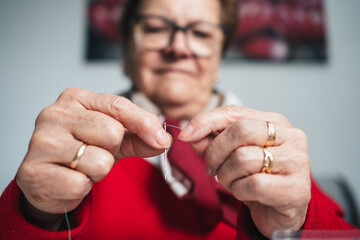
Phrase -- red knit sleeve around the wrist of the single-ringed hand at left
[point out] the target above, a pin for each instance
(14, 226)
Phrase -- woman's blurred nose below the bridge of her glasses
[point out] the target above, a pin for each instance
(179, 47)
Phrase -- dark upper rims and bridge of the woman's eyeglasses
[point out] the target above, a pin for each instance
(175, 27)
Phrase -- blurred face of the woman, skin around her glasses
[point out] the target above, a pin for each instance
(175, 79)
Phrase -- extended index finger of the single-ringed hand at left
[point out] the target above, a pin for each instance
(144, 124)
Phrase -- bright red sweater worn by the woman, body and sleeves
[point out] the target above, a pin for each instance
(134, 202)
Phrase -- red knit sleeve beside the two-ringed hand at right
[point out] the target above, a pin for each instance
(323, 213)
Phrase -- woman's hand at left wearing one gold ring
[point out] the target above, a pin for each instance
(113, 128)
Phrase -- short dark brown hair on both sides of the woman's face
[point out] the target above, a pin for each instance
(228, 20)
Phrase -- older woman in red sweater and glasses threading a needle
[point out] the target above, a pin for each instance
(230, 172)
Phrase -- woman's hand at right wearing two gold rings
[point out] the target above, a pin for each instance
(232, 140)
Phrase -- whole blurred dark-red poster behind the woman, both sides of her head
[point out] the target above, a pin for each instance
(268, 30)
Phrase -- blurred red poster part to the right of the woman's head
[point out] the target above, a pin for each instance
(280, 30)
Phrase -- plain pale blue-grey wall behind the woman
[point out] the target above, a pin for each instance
(41, 53)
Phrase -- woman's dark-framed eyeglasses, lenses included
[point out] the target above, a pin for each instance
(153, 32)
